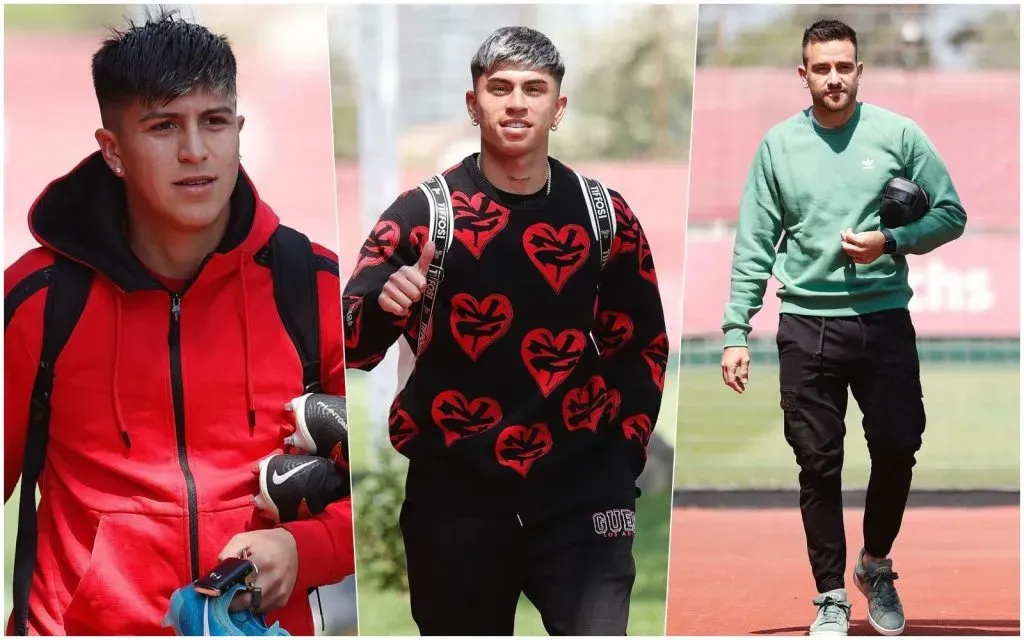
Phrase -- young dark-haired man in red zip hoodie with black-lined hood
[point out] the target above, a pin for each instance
(175, 381)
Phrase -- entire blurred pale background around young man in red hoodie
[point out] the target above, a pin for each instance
(51, 115)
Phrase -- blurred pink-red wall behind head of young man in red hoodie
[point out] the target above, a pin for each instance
(51, 117)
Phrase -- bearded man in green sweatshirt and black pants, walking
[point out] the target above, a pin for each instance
(817, 184)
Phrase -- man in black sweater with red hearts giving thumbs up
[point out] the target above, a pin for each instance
(528, 414)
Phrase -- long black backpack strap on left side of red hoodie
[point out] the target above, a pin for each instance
(66, 298)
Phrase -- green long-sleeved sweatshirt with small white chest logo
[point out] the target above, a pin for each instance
(813, 184)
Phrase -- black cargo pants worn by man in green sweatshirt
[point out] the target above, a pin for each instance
(875, 357)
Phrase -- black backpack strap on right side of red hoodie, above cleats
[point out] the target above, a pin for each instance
(293, 268)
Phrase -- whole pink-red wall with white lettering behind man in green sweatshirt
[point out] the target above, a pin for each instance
(970, 288)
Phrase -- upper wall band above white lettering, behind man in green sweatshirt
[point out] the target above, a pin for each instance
(972, 118)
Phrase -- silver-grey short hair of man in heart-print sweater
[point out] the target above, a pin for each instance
(520, 47)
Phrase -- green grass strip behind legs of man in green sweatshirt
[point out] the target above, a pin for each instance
(972, 440)
